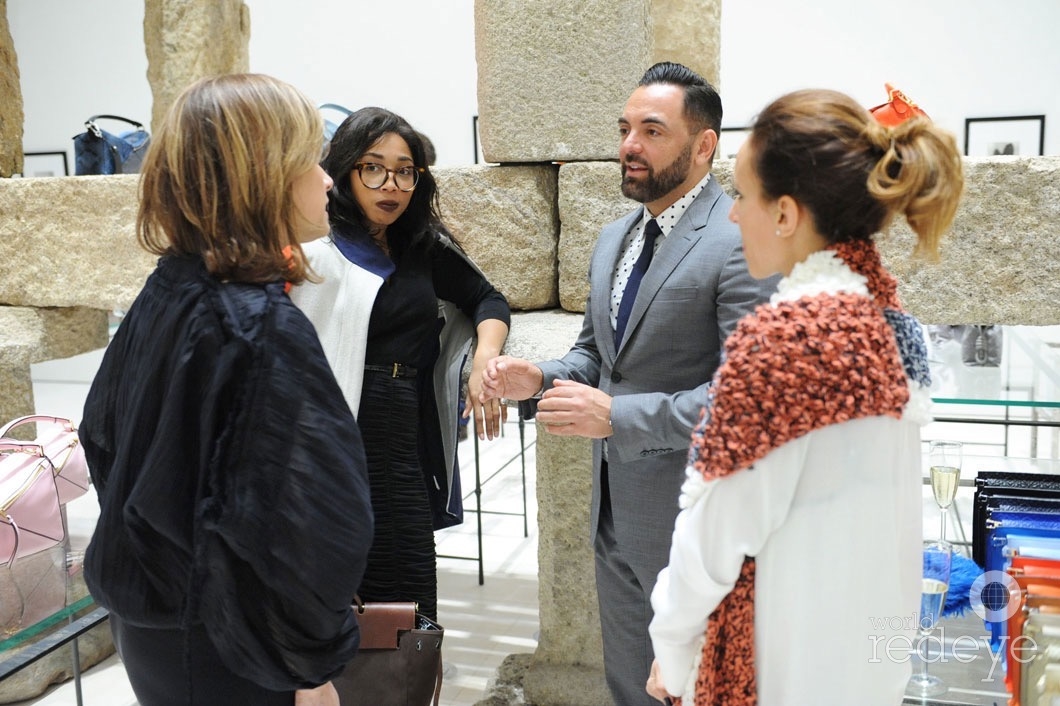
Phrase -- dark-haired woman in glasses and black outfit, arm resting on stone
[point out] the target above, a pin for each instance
(396, 306)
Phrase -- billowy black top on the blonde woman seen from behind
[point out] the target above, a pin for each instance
(232, 479)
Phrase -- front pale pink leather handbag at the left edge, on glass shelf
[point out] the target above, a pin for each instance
(31, 518)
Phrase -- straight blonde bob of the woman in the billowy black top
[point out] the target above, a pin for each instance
(217, 181)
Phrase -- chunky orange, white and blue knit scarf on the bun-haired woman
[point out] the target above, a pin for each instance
(832, 346)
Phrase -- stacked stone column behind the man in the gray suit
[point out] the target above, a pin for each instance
(553, 80)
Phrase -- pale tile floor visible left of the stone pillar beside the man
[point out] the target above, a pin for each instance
(484, 624)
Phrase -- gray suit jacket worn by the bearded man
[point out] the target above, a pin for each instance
(692, 297)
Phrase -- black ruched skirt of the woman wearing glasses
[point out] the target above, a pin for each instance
(402, 561)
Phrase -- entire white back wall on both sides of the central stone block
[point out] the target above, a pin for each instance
(959, 59)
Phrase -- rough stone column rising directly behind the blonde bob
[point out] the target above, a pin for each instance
(188, 40)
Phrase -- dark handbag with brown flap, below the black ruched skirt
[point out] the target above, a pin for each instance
(399, 662)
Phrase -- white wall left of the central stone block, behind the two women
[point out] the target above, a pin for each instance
(417, 58)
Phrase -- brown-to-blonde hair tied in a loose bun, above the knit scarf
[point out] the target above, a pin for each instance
(853, 174)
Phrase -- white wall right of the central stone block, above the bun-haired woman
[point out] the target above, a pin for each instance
(958, 59)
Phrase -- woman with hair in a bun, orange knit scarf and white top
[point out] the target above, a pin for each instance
(794, 576)
